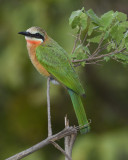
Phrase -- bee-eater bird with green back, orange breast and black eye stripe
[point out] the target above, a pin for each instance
(51, 60)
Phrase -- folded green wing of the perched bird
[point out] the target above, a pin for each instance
(55, 60)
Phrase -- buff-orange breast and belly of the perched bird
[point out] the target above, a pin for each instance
(32, 54)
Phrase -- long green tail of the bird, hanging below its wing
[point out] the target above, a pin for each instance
(79, 110)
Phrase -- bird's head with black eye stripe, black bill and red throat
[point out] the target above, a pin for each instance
(34, 35)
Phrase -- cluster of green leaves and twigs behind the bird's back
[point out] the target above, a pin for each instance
(108, 33)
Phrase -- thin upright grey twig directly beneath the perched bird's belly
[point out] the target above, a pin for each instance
(48, 108)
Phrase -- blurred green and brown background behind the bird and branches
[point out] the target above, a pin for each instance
(23, 107)
